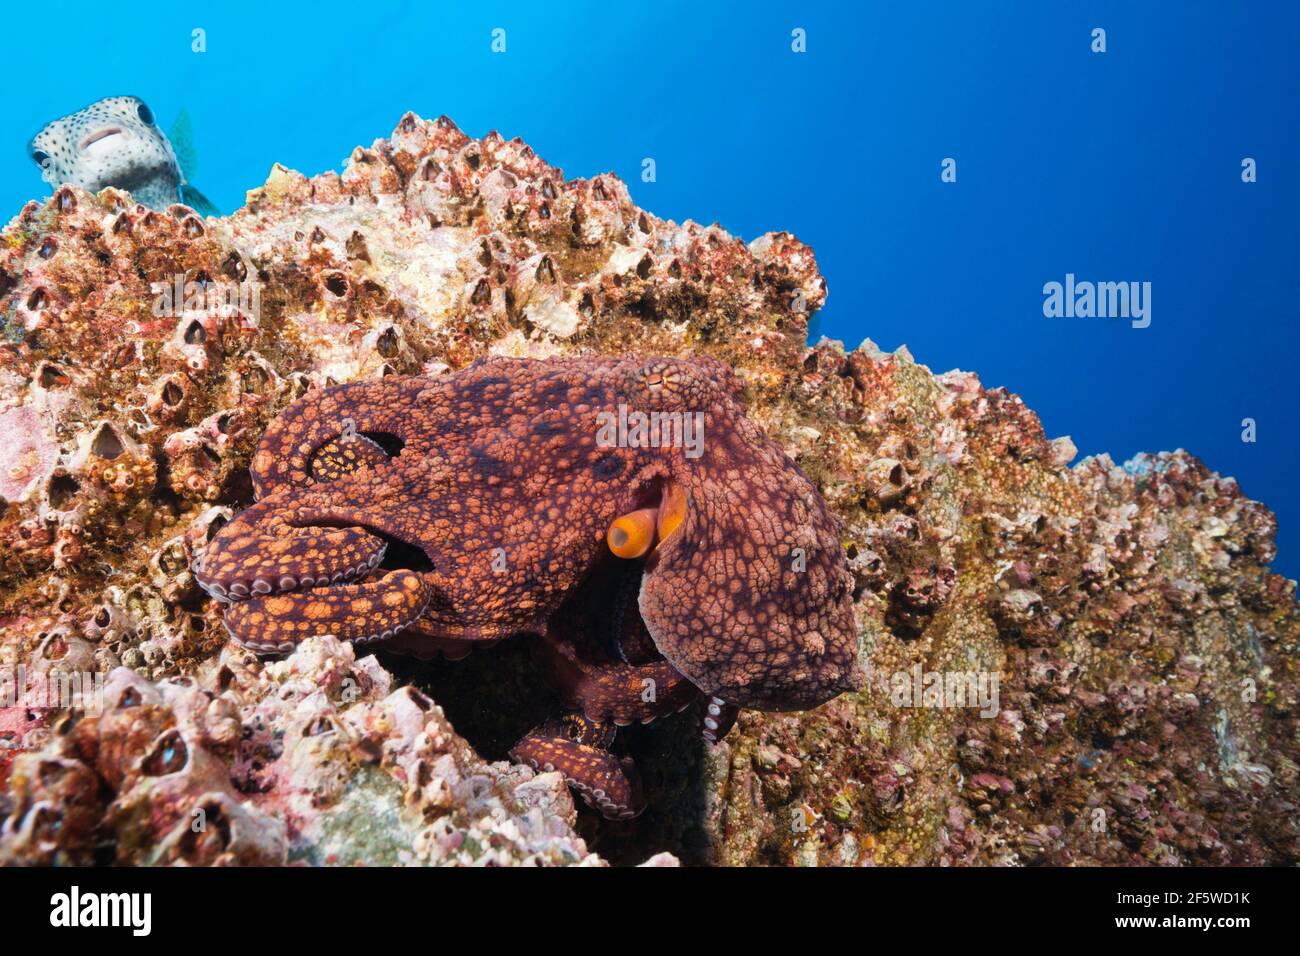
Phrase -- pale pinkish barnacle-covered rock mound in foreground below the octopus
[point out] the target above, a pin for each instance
(315, 759)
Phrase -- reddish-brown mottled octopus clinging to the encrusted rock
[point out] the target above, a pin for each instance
(622, 511)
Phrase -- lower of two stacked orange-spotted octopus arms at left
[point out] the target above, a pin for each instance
(367, 612)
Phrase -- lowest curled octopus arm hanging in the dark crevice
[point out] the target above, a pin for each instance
(578, 749)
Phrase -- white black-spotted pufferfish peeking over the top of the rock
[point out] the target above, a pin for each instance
(118, 142)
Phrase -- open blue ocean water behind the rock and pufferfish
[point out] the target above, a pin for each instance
(1124, 166)
